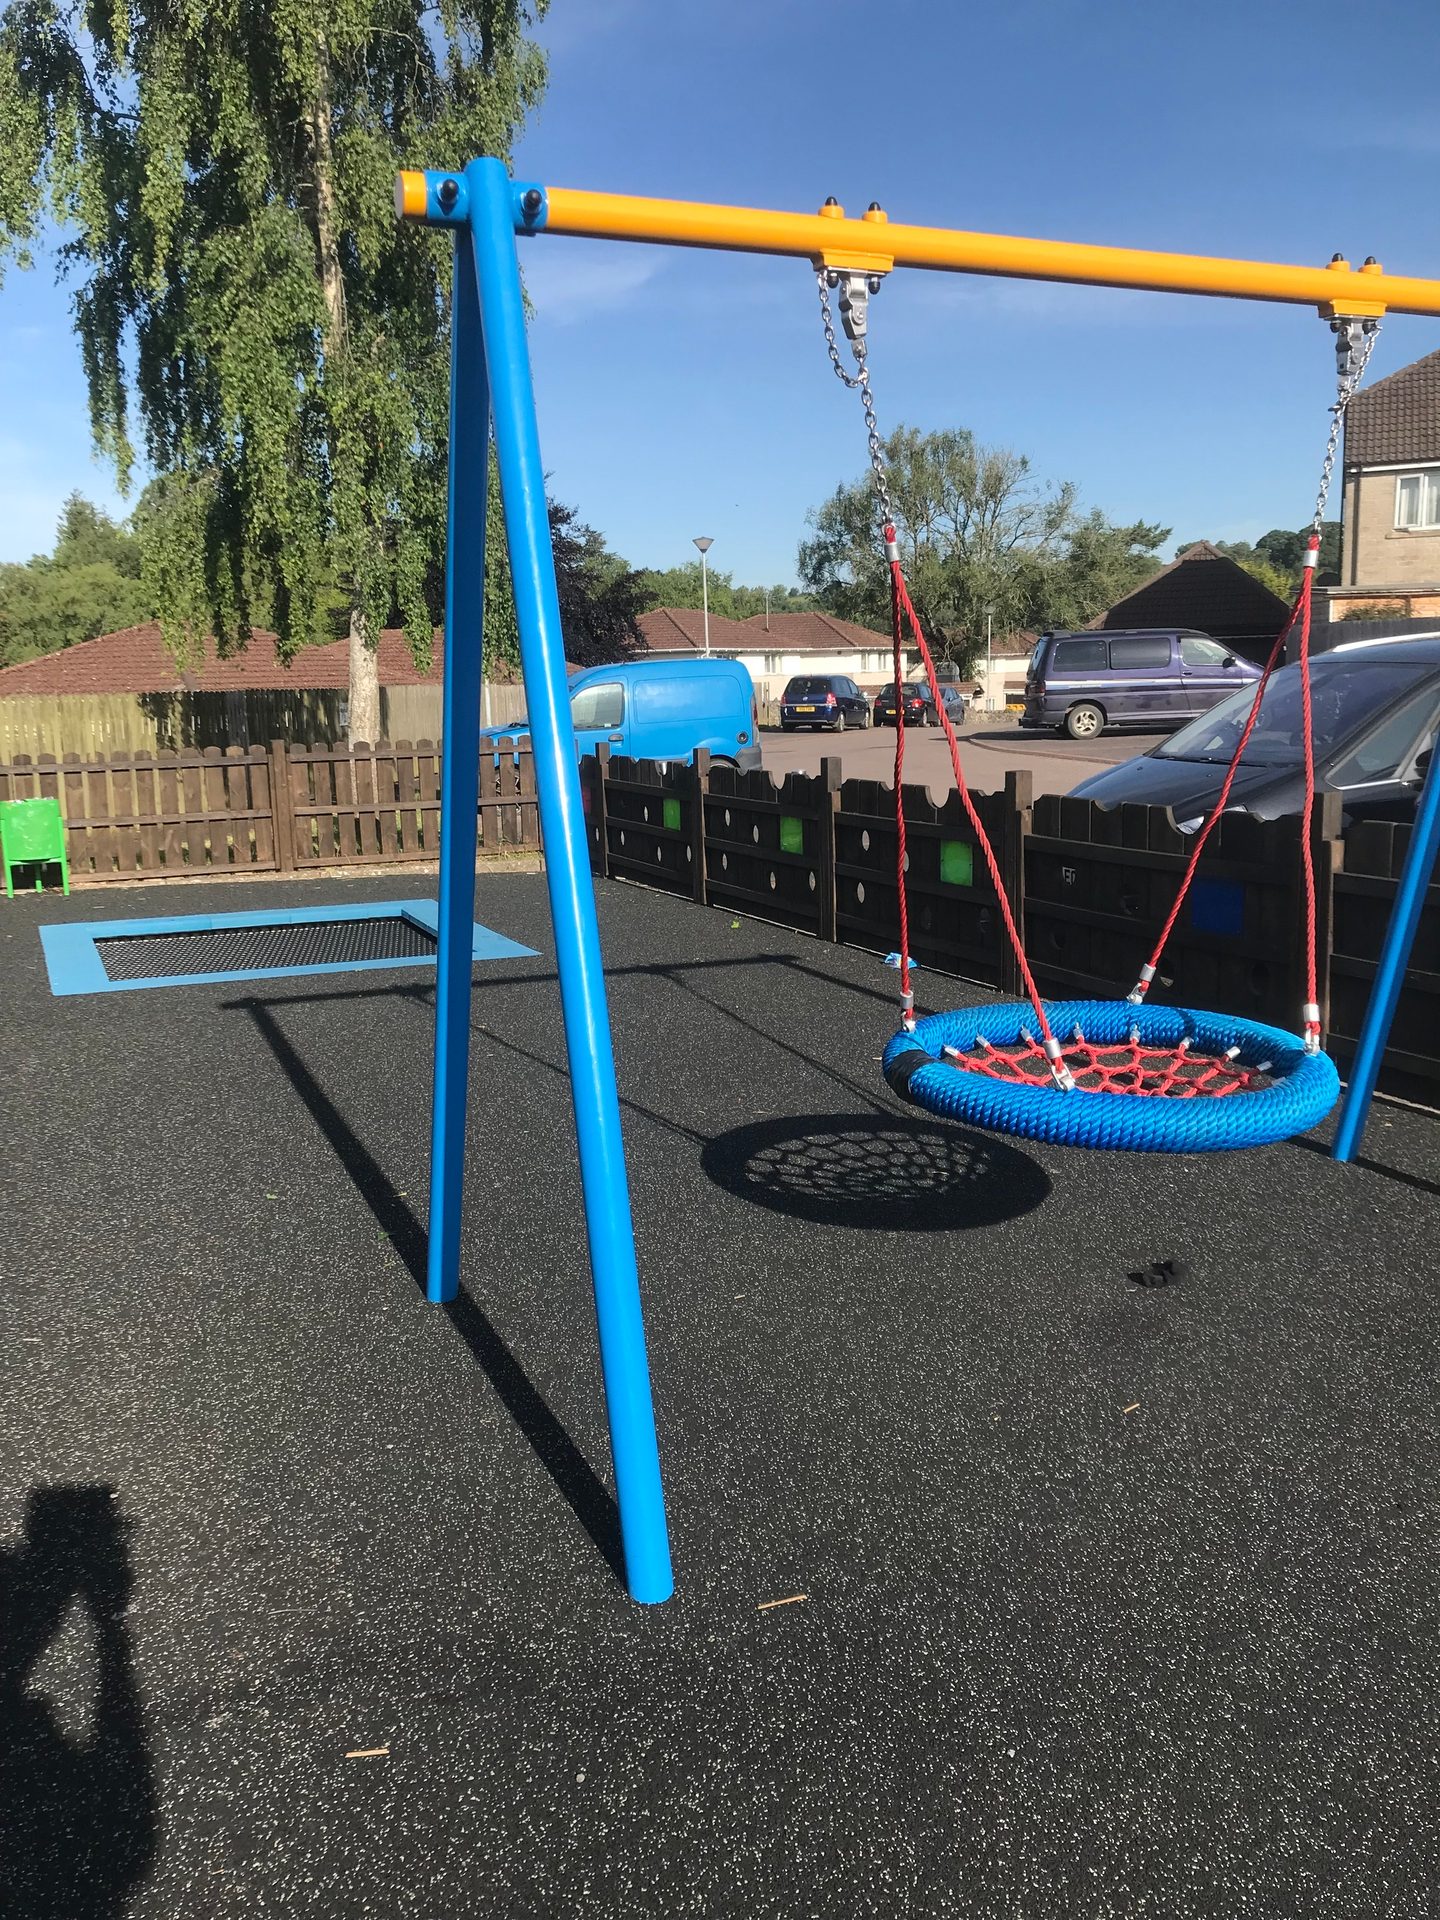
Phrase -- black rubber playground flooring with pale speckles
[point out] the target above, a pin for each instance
(1118, 1600)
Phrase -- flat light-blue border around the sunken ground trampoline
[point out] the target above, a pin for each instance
(76, 967)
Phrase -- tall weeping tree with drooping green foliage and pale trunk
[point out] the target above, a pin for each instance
(254, 324)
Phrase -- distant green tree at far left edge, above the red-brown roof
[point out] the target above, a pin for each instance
(91, 585)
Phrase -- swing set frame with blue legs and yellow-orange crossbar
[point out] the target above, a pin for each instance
(492, 391)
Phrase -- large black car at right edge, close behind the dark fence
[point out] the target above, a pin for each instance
(1376, 717)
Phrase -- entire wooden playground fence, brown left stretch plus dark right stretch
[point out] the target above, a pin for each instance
(815, 853)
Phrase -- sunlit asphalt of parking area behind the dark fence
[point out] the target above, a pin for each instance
(988, 752)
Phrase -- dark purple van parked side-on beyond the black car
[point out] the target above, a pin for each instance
(1149, 677)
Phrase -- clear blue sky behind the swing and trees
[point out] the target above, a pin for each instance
(686, 393)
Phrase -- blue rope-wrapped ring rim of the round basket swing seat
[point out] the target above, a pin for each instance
(1301, 1095)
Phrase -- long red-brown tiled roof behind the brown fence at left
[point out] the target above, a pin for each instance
(137, 661)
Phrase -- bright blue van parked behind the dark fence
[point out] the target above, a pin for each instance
(667, 709)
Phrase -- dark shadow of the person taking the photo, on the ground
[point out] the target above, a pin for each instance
(78, 1810)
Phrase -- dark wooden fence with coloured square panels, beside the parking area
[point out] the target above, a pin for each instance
(1092, 890)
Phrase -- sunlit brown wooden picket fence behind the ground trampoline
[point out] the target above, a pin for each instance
(272, 809)
